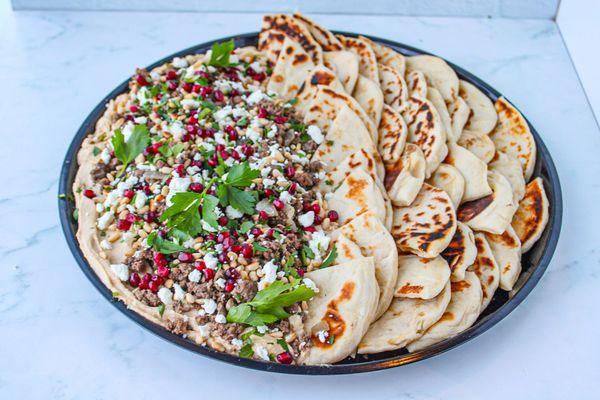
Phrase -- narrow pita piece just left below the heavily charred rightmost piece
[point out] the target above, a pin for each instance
(506, 249)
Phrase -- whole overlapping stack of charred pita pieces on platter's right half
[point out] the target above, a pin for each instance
(432, 181)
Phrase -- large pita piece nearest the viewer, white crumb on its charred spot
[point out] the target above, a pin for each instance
(343, 308)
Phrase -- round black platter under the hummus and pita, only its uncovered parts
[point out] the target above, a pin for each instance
(534, 262)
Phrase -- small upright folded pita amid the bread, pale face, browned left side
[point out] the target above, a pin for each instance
(404, 178)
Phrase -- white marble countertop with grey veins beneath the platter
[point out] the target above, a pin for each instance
(60, 339)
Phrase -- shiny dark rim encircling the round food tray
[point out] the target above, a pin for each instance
(69, 167)
